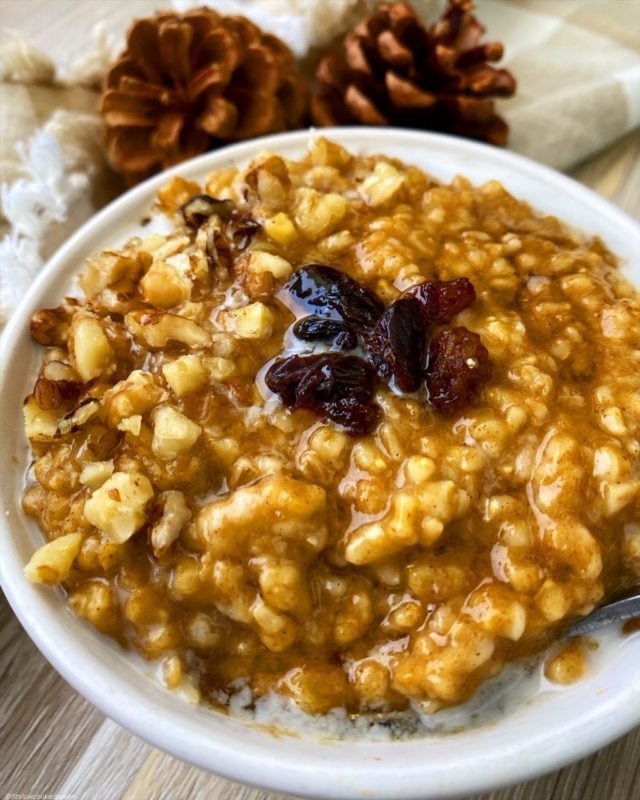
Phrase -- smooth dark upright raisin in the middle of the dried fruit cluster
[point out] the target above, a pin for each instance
(398, 344)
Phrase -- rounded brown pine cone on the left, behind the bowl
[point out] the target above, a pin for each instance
(188, 83)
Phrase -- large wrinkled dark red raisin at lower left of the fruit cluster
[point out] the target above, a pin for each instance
(335, 387)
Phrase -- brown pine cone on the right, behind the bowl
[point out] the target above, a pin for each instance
(394, 71)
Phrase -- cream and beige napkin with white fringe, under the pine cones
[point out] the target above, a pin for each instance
(577, 63)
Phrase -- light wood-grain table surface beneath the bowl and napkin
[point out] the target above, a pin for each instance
(54, 743)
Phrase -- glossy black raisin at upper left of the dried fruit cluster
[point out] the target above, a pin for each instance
(331, 293)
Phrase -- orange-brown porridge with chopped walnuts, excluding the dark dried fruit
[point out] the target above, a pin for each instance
(195, 518)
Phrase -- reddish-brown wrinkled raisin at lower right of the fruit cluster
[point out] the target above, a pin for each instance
(458, 365)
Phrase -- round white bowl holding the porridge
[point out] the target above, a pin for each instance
(542, 732)
